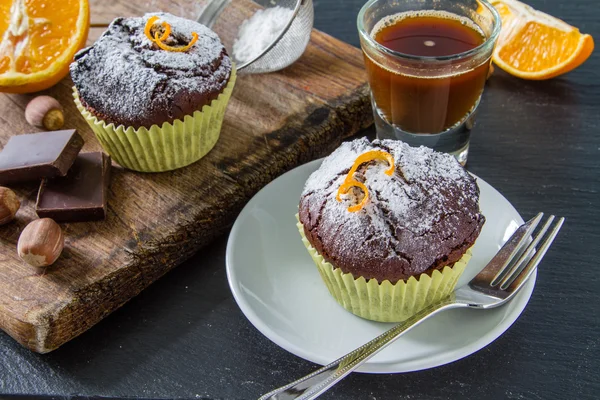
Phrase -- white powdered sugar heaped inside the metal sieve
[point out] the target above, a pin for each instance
(259, 31)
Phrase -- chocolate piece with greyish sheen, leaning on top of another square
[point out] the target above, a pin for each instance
(39, 155)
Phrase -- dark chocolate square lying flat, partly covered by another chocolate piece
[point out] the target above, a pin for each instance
(79, 196)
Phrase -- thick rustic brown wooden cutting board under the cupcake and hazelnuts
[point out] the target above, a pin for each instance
(274, 122)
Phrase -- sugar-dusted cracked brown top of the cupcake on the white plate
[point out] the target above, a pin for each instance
(423, 217)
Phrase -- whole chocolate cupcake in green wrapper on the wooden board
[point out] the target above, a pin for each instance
(154, 90)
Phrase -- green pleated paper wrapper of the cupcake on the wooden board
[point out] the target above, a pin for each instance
(172, 146)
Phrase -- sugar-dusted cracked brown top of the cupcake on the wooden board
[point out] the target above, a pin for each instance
(127, 79)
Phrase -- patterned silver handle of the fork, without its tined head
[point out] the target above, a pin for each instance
(313, 385)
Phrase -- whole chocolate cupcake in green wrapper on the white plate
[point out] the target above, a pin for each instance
(404, 246)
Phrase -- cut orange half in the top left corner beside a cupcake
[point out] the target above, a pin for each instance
(38, 41)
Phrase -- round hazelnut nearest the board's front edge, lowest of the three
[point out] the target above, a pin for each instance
(41, 242)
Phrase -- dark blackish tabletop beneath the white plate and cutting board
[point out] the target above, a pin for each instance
(538, 143)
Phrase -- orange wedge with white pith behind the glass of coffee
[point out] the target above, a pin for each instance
(535, 45)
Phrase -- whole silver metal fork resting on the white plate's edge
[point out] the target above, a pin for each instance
(494, 286)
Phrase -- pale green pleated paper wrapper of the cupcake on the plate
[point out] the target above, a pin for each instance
(386, 302)
